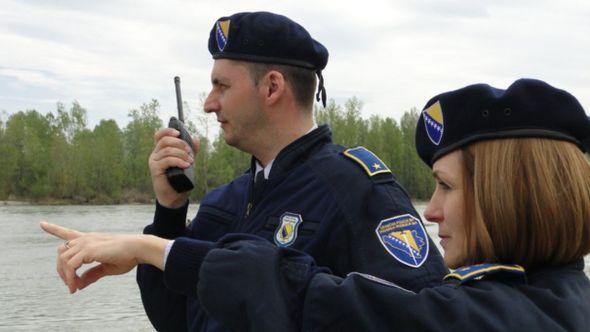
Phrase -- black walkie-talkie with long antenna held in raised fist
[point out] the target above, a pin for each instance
(181, 179)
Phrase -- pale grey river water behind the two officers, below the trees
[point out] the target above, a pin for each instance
(33, 297)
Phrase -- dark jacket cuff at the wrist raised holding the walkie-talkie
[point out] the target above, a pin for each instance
(168, 223)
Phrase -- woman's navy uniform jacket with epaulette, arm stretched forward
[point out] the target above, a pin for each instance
(250, 286)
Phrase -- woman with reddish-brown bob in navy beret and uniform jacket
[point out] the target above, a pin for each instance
(512, 202)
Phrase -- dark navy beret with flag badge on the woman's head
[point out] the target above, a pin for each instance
(528, 108)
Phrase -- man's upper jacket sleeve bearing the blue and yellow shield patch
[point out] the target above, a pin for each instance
(372, 217)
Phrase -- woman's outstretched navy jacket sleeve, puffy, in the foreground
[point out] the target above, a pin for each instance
(254, 286)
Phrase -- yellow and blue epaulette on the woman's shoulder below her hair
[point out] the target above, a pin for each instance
(480, 271)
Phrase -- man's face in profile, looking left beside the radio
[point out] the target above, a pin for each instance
(236, 101)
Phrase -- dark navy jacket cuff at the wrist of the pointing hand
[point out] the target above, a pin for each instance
(181, 272)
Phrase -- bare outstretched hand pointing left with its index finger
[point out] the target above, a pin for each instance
(117, 254)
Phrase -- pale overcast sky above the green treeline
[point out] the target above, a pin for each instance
(113, 56)
